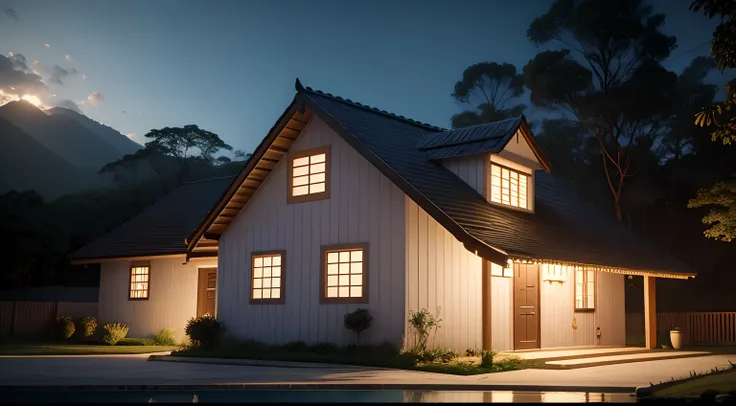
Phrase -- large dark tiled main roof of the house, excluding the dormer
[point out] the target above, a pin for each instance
(563, 228)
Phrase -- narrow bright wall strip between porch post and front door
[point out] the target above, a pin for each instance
(502, 322)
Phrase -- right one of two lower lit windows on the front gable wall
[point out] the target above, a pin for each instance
(344, 273)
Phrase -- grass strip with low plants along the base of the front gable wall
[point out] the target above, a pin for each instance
(367, 355)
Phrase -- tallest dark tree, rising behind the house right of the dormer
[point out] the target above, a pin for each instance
(618, 91)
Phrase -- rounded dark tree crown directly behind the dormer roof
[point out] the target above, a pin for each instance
(488, 87)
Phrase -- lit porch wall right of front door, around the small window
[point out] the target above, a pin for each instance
(557, 311)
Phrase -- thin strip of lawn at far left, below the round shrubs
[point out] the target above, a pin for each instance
(126, 346)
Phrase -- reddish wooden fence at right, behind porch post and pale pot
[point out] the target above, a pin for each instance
(698, 327)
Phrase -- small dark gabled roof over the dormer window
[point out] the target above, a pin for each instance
(489, 137)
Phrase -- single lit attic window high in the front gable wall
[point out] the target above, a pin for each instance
(309, 177)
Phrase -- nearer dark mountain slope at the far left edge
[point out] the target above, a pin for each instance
(26, 164)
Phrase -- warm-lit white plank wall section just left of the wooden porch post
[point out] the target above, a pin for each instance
(441, 272)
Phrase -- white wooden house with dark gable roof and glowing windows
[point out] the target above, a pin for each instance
(345, 206)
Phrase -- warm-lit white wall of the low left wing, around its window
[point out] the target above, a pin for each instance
(172, 297)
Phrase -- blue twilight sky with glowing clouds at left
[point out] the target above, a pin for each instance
(229, 66)
